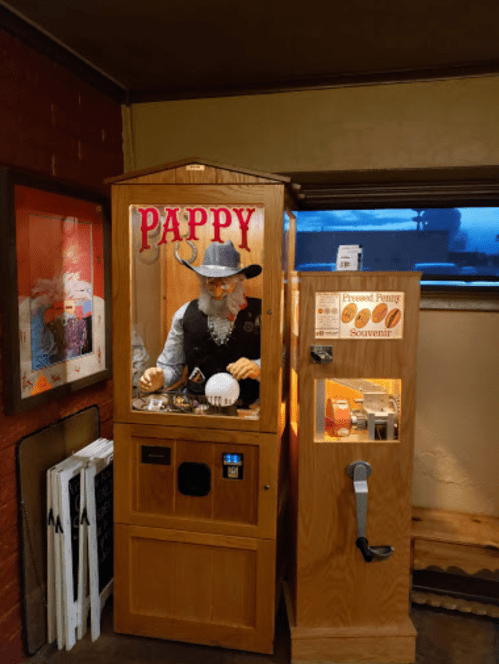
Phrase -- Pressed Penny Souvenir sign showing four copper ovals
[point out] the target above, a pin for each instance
(359, 315)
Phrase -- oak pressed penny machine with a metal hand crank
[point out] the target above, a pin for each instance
(352, 405)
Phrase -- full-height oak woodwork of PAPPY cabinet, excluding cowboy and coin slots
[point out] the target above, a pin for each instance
(197, 568)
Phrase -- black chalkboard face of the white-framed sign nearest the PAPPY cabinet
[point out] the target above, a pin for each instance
(104, 514)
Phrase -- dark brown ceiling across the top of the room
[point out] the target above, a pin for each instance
(167, 49)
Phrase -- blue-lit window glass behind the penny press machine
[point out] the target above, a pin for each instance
(456, 247)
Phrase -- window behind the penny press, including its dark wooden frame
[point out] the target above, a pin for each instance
(443, 222)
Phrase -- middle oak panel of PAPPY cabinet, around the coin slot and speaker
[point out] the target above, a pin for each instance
(148, 495)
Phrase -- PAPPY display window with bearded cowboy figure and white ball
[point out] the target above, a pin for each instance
(197, 279)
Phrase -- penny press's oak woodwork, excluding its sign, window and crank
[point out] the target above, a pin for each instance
(334, 587)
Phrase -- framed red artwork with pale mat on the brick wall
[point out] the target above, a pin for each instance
(56, 298)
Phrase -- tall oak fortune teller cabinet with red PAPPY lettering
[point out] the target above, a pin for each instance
(198, 473)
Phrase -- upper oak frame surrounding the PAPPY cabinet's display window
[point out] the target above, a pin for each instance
(271, 197)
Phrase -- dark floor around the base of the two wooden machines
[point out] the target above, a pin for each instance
(444, 637)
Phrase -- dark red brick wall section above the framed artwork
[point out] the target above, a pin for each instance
(54, 123)
